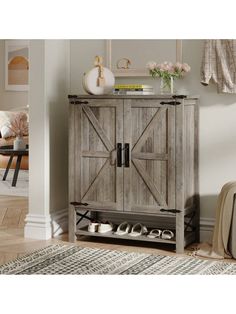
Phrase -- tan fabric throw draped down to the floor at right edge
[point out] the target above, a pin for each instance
(221, 233)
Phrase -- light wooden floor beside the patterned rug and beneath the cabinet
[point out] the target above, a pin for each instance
(13, 244)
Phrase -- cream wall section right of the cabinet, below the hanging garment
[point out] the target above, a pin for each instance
(217, 131)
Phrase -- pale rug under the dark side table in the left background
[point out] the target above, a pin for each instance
(22, 185)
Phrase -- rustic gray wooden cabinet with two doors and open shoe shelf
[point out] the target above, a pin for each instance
(135, 158)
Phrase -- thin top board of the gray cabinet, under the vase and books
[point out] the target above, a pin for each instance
(110, 96)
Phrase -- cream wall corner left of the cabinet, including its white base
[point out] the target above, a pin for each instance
(48, 135)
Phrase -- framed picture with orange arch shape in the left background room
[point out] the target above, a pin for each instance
(17, 65)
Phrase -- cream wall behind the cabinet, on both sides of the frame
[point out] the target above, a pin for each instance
(217, 116)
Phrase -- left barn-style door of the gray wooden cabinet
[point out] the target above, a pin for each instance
(99, 130)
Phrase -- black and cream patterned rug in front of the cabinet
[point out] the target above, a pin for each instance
(67, 259)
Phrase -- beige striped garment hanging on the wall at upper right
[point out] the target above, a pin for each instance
(219, 64)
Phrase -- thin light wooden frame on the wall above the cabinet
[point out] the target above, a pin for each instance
(127, 57)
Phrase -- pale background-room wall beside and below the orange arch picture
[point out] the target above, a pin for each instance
(9, 99)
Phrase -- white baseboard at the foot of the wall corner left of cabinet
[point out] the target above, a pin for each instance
(38, 227)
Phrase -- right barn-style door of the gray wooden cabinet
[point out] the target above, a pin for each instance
(149, 176)
